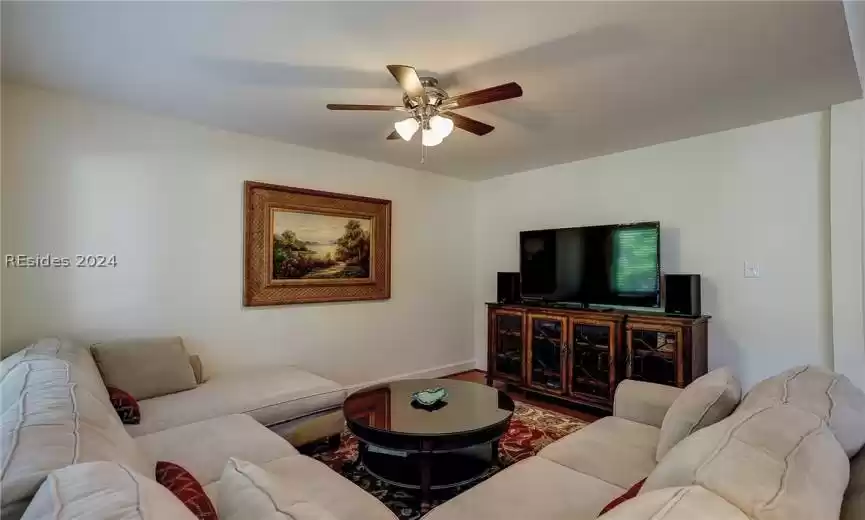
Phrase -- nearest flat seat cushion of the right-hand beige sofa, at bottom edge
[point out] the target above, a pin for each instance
(532, 488)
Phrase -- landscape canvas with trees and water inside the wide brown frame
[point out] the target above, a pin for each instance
(315, 246)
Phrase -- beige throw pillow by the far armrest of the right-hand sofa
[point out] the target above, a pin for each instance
(708, 399)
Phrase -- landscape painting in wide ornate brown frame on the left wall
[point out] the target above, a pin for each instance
(305, 246)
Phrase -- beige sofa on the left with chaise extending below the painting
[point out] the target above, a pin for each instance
(56, 412)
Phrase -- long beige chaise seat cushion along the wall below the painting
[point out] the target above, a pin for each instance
(270, 395)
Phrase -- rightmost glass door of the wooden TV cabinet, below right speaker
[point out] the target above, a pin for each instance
(653, 353)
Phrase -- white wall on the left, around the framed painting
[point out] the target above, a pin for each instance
(165, 196)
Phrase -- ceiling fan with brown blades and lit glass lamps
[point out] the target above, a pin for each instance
(431, 108)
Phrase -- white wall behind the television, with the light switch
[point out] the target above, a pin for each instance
(758, 194)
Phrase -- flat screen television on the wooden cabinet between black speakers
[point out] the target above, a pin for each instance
(604, 265)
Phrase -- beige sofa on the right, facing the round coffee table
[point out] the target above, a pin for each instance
(783, 454)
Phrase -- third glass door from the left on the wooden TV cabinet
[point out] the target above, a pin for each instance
(589, 367)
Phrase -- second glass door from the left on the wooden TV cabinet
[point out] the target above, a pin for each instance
(546, 353)
